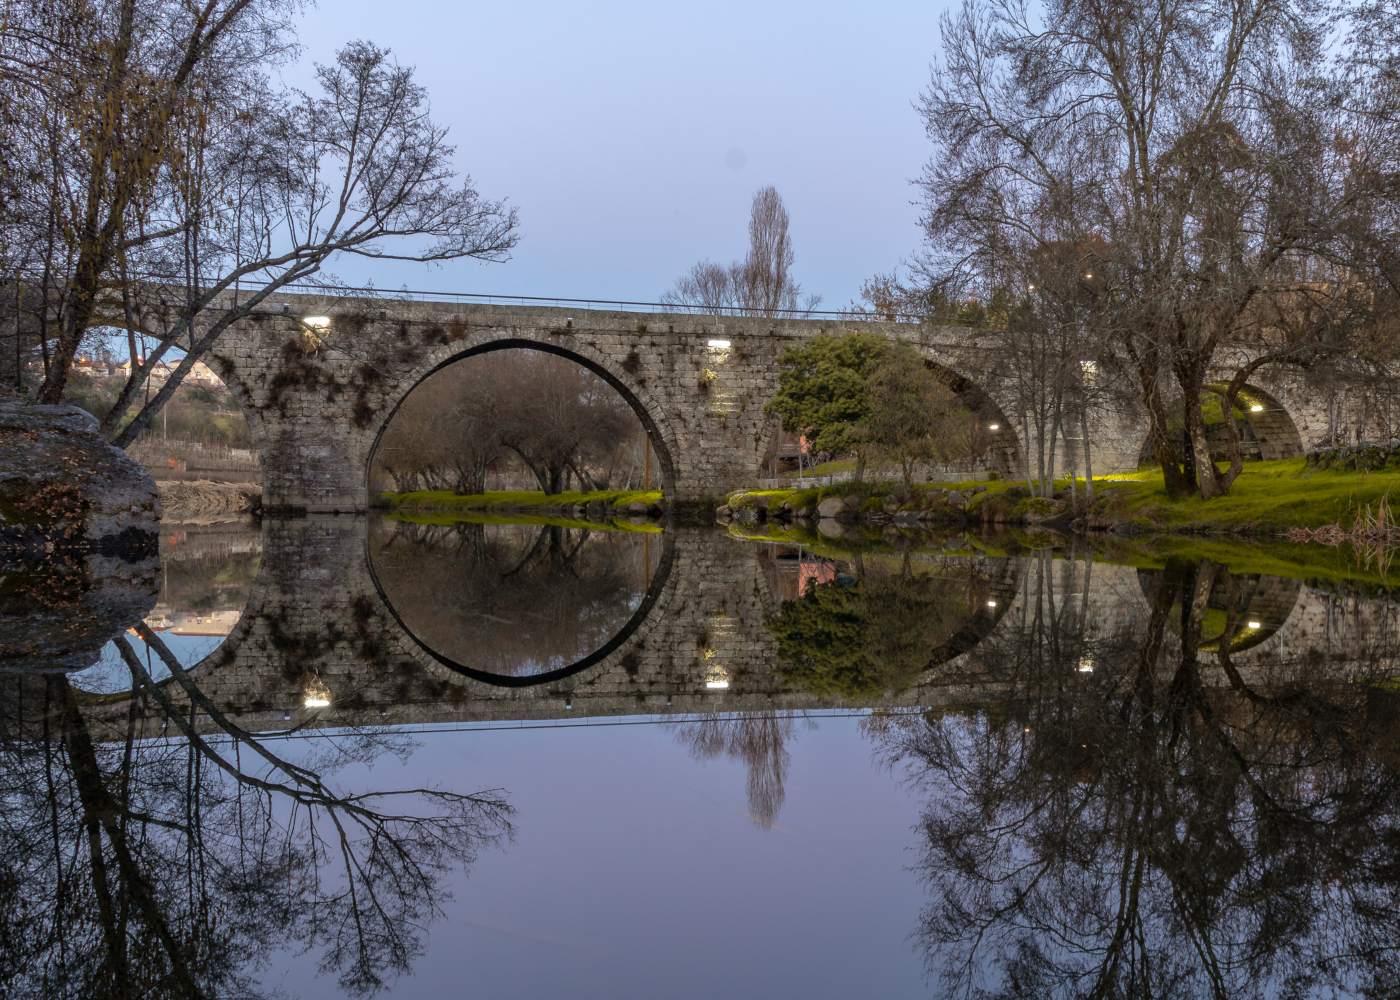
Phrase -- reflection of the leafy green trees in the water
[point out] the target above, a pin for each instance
(855, 639)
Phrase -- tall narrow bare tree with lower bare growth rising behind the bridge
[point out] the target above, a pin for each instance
(762, 284)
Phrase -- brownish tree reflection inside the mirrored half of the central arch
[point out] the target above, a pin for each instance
(512, 599)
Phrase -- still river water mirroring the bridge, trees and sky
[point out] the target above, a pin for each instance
(344, 757)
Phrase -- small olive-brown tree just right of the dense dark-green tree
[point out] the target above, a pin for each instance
(915, 417)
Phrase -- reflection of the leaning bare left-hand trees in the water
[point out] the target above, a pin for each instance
(176, 868)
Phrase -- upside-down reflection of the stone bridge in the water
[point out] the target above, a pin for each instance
(317, 618)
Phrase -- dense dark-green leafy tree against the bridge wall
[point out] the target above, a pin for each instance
(825, 391)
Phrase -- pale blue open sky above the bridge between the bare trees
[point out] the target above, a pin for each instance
(632, 135)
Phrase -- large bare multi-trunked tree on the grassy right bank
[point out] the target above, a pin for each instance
(1212, 153)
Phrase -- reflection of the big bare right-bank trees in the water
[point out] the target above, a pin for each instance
(1167, 826)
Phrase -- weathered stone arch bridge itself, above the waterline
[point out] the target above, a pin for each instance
(318, 396)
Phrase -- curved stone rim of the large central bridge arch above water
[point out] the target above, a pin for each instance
(650, 412)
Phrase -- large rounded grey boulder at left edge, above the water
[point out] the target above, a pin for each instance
(64, 487)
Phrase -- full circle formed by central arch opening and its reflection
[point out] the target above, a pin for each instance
(520, 599)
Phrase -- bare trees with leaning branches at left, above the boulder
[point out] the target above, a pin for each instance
(234, 181)
